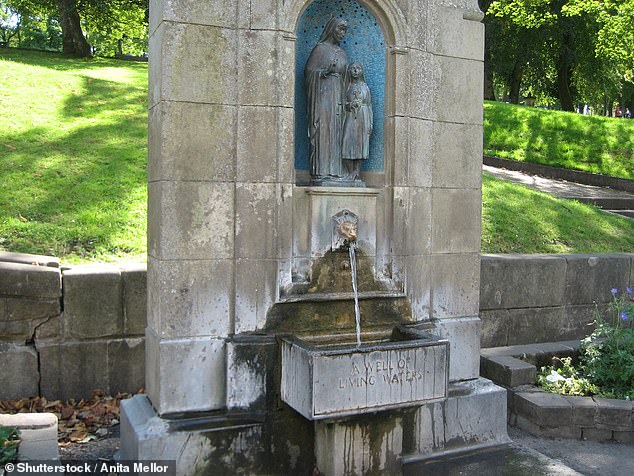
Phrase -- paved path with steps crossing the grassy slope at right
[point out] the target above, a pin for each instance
(615, 201)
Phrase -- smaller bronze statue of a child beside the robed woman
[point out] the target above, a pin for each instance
(358, 123)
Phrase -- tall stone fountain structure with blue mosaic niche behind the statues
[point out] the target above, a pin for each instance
(242, 252)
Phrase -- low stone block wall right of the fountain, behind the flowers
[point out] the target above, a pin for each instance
(528, 299)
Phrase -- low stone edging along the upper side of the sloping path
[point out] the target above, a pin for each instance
(577, 176)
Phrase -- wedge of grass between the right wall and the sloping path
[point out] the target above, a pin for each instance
(516, 219)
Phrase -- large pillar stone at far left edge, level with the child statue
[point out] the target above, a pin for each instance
(192, 142)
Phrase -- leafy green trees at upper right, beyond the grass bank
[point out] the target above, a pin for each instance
(562, 51)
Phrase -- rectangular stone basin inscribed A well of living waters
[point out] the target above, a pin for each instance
(325, 378)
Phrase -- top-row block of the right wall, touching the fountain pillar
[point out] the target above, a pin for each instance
(517, 281)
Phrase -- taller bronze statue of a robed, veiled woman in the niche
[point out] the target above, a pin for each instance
(324, 75)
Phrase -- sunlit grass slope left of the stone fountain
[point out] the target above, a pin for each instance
(73, 152)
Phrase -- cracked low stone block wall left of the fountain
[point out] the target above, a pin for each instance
(66, 332)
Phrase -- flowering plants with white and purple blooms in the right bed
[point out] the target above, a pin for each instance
(606, 357)
